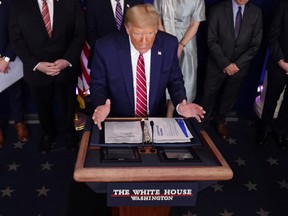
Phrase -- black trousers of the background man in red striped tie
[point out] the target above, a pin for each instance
(56, 96)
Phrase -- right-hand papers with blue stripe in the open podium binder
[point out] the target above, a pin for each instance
(168, 130)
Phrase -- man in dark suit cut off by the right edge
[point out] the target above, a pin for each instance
(277, 79)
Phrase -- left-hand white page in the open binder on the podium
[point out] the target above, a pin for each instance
(123, 132)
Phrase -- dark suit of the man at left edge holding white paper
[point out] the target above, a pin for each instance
(14, 91)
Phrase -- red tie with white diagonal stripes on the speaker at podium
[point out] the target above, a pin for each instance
(141, 90)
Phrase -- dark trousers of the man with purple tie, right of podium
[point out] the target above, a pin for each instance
(222, 90)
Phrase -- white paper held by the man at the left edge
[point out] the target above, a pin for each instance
(15, 73)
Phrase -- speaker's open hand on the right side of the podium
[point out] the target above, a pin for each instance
(189, 110)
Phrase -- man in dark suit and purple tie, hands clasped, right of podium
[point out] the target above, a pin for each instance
(232, 42)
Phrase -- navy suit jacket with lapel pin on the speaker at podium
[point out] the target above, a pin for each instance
(111, 75)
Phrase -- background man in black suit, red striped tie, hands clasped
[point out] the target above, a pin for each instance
(51, 57)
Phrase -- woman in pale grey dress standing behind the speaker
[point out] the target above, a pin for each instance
(182, 19)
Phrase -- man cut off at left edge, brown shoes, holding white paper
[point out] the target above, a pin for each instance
(7, 55)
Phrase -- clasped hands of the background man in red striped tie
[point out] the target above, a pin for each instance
(52, 68)
